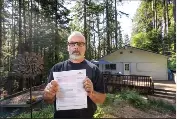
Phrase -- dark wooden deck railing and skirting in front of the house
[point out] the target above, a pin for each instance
(143, 84)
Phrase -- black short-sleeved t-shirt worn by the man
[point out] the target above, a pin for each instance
(93, 74)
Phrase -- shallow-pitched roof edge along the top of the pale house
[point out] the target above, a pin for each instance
(128, 46)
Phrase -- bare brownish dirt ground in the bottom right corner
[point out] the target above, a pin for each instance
(124, 110)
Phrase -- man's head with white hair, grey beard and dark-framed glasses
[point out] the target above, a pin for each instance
(76, 46)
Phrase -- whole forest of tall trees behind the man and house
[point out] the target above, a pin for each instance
(42, 27)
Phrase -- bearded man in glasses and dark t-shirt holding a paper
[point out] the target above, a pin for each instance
(93, 83)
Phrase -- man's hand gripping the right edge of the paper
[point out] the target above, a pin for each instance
(88, 85)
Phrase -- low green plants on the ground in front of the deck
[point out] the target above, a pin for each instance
(138, 101)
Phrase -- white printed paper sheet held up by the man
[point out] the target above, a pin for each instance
(72, 93)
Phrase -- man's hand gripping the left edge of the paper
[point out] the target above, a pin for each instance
(50, 91)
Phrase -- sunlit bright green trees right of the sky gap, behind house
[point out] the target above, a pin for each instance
(148, 27)
